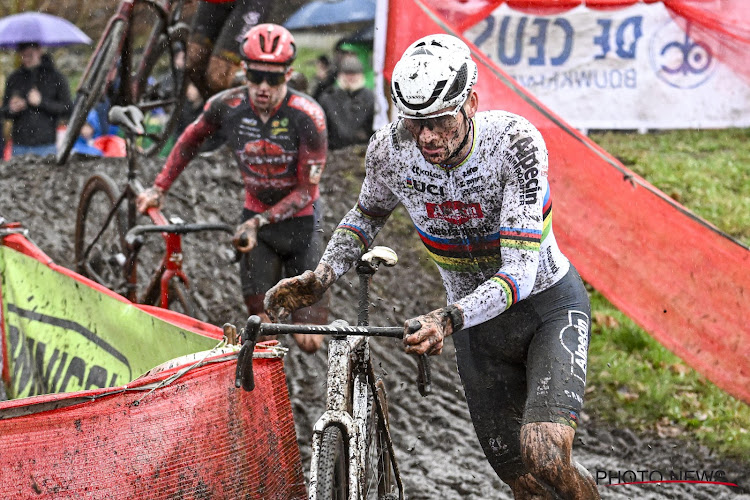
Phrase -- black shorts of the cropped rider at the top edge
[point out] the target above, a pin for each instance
(221, 26)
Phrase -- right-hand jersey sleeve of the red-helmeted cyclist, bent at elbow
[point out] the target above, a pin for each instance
(311, 159)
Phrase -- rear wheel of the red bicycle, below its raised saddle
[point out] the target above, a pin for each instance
(100, 249)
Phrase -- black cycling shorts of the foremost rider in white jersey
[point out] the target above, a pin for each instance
(526, 365)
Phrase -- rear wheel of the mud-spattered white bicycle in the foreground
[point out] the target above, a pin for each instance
(379, 480)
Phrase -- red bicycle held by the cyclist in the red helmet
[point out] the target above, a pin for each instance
(108, 242)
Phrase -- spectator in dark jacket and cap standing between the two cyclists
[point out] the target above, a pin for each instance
(349, 106)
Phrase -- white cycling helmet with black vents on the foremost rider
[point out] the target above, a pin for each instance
(436, 72)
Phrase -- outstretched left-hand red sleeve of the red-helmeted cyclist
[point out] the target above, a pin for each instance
(187, 146)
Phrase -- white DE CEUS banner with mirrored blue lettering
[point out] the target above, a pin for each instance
(626, 68)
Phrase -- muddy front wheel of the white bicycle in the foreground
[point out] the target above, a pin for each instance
(332, 480)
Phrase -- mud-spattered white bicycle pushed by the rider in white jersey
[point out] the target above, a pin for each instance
(352, 450)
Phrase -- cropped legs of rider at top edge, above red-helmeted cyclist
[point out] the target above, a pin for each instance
(218, 28)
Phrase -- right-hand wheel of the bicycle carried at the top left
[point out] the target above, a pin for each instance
(157, 77)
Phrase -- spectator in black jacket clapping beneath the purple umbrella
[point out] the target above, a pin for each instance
(36, 97)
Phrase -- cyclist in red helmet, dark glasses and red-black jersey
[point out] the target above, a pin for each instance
(278, 137)
